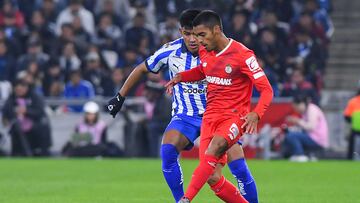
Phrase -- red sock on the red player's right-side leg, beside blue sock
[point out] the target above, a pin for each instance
(227, 191)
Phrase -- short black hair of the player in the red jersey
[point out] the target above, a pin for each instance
(208, 18)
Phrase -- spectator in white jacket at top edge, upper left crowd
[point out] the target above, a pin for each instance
(74, 9)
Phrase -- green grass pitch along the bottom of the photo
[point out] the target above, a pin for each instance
(139, 180)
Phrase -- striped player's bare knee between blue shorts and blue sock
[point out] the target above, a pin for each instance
(176, 138)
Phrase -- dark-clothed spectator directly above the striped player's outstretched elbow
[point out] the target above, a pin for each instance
(138, 34)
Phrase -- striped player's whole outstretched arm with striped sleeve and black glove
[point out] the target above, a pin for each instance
(152, 64)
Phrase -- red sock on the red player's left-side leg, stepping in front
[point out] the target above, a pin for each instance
(201, 174)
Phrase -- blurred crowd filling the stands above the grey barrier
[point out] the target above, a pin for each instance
(87, 48)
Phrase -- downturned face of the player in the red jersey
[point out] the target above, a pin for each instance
(205, 36)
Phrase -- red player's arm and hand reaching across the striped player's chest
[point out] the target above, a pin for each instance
(194, 74)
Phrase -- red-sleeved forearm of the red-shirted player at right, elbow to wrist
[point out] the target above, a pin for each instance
(266, 96)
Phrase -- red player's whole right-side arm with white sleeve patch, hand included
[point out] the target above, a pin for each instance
(251, 68)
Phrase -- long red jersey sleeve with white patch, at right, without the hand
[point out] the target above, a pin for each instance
(251, 68)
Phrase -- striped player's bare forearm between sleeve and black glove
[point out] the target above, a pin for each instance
(133, 78)
